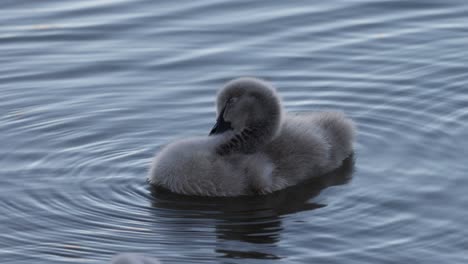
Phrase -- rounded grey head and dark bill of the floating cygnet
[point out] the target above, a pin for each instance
(250, 108)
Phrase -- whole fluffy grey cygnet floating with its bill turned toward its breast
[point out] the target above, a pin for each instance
(254, 147)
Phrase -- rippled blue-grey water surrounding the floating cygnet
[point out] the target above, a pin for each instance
(91, 90)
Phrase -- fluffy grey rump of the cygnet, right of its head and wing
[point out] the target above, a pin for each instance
(310, 145)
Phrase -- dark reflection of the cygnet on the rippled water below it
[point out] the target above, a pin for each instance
(251, 219)
